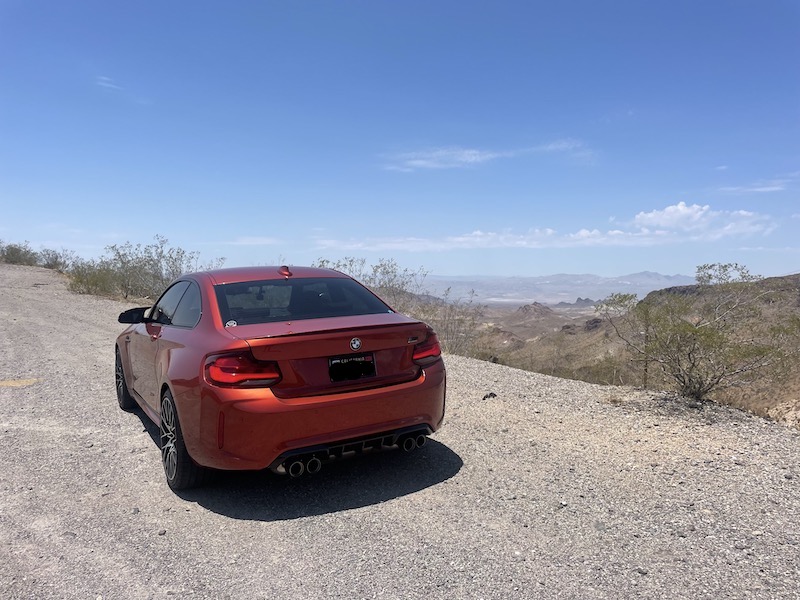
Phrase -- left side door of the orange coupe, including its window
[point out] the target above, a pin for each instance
(145, 345)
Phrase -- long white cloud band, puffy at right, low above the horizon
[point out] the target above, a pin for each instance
(676, 224)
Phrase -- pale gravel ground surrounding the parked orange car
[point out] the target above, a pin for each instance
(535, 487)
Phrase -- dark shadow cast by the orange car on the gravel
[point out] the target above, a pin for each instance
(341, 485)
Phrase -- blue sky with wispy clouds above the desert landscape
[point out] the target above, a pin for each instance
(504, 138)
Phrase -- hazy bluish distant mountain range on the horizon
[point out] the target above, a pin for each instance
(551, 289)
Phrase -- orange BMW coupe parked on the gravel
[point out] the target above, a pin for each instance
(279, 368)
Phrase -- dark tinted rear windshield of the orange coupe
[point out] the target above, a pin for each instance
(293, 300)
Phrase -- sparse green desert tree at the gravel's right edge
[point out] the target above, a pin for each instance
(706, 337)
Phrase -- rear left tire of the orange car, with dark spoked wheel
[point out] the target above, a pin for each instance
(181, 471)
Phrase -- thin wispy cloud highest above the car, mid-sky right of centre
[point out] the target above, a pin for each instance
(456, 157)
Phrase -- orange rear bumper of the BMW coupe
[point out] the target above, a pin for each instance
(252, 429)
